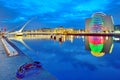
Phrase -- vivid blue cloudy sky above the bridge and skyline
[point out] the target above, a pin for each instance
(53, 13)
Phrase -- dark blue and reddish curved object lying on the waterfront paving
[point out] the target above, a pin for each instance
(26, 68)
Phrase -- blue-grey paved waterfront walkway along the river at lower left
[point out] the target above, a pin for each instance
(9, 66)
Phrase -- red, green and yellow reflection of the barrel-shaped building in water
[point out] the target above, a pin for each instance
(99, 45)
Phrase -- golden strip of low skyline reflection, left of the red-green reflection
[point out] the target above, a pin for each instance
(59, 38)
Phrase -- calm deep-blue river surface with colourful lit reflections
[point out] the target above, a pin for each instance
(70, 58)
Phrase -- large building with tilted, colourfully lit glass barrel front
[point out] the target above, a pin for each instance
(99, 22)
